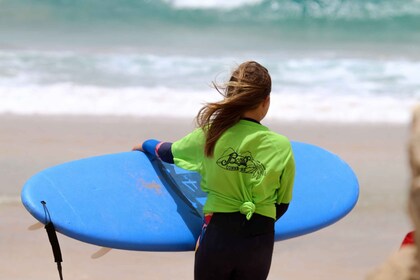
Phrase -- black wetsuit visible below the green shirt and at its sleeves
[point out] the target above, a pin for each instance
(226, 246)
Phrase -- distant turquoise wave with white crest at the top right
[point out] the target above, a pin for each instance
(274, 10)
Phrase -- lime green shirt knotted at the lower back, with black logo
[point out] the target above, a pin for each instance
(251, 165)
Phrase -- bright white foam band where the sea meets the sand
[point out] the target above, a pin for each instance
(165, 102)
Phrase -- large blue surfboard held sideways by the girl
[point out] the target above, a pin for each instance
(128, 201)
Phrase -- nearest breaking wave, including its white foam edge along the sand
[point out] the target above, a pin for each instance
(107, 83)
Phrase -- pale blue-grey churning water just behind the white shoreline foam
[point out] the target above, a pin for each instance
(334, 75)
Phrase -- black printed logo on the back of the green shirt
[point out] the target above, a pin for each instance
(244, 163)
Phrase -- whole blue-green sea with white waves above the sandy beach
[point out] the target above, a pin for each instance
(330, 61)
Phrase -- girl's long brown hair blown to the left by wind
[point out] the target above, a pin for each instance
(249, 85)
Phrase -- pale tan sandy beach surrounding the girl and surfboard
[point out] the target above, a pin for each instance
(348, 249)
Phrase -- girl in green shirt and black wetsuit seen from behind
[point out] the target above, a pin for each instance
(247, 171)
